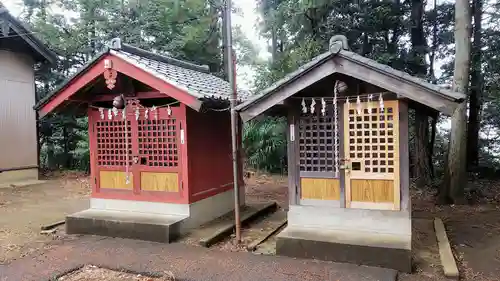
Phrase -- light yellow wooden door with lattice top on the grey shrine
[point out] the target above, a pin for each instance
(372, 156)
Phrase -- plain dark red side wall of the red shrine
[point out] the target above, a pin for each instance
(210, 169)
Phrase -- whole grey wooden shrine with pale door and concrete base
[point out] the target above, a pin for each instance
(348, 156)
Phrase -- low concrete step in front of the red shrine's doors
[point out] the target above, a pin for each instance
(149, 227)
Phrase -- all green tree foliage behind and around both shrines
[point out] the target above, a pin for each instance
(296, 30)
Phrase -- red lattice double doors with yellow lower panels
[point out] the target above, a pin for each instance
(151, 144)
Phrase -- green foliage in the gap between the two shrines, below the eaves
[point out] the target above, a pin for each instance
(264, 143)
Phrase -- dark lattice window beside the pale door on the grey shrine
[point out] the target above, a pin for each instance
(317, 143)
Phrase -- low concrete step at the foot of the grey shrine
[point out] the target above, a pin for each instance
(372, 249)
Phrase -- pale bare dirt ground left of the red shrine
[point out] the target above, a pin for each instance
(24, 210)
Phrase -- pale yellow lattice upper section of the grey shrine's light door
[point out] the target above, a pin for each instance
(372, 139)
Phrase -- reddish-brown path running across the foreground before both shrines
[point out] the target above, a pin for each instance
(184, 262)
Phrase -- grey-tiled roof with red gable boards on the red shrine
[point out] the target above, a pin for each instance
(190, 84)
